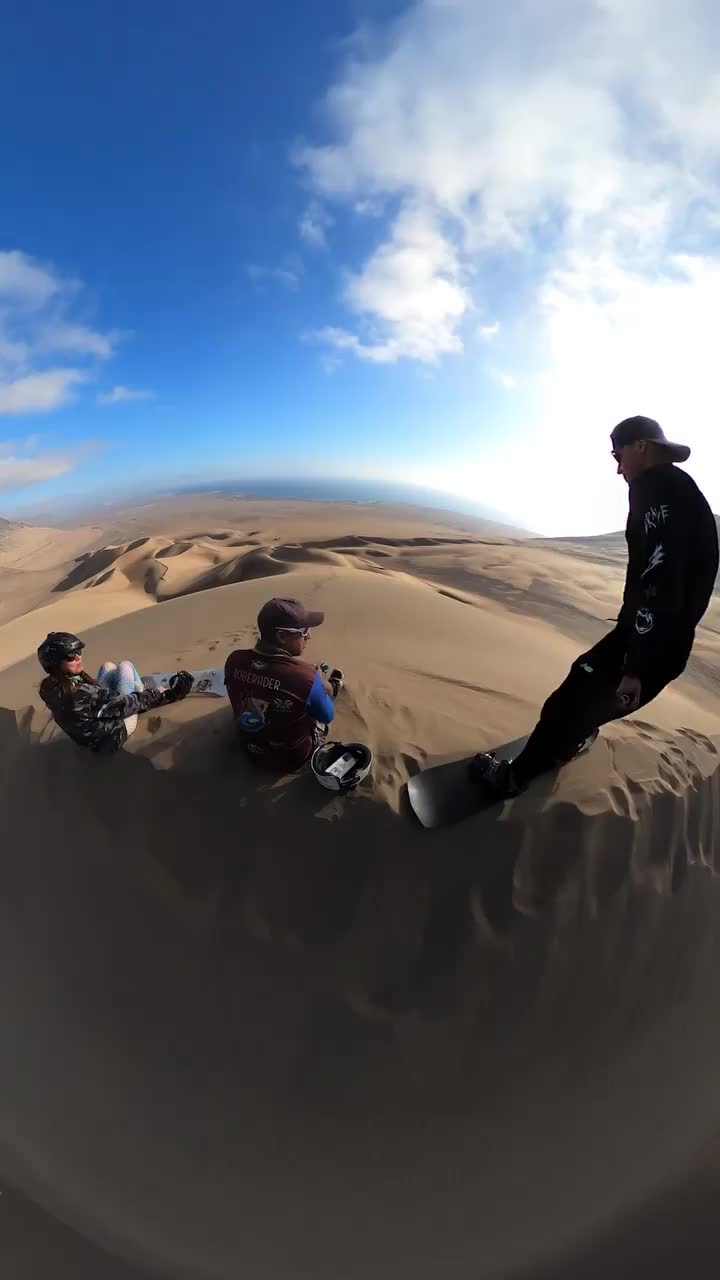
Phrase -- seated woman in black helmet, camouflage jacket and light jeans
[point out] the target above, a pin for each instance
(94, 712)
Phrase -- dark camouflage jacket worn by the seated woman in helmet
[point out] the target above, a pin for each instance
(94, 716)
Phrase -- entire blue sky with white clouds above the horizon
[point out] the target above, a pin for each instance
(450, 243)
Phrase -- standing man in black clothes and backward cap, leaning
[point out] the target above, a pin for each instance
(672, 568)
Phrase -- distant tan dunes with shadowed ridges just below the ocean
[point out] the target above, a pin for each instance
(154, 548)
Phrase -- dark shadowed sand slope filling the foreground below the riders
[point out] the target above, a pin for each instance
(341, 1030)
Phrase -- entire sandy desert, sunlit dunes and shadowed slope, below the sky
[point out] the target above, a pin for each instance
(274, 1021)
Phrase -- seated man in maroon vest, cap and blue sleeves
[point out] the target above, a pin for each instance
(282, 705)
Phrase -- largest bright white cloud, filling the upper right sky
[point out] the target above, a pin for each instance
(576, 145)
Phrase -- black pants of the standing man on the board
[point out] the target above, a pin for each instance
(585, 701)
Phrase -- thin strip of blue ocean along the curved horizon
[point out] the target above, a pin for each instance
(354, 491)
